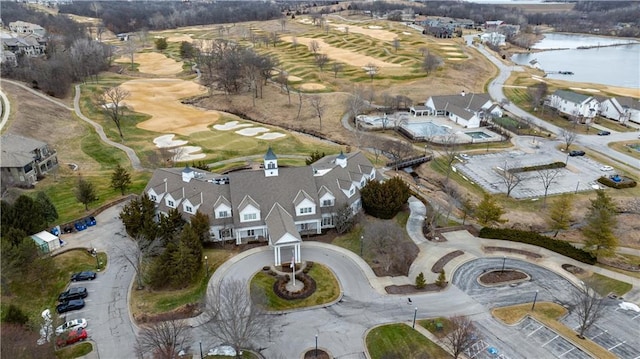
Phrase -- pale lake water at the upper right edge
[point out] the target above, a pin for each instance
(614, 65)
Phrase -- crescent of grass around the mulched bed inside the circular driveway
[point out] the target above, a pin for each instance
(327, 289)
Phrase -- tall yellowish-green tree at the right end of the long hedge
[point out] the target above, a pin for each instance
(601, 221)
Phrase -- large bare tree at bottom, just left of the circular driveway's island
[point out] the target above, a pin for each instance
(234, 316)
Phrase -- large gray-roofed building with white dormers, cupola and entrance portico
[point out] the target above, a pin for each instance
(275, 204)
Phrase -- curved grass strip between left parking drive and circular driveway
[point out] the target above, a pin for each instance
(145, 302)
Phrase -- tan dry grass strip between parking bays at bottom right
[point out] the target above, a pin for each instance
(548, 313)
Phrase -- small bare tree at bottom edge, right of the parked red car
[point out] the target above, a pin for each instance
(164, 339)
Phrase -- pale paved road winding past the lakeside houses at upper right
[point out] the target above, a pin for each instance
(593, 142)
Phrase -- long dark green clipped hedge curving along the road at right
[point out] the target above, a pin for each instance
(562, 247)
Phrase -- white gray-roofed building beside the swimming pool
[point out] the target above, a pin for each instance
(466, 110)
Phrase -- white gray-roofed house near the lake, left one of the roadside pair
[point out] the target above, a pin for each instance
(581, 107)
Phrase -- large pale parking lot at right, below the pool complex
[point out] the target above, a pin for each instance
(580, 174)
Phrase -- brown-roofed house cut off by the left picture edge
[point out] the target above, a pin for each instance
(25, 160)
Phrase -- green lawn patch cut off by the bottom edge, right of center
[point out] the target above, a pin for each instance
(401, 341)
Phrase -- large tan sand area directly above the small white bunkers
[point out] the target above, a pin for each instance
(160, 98)
